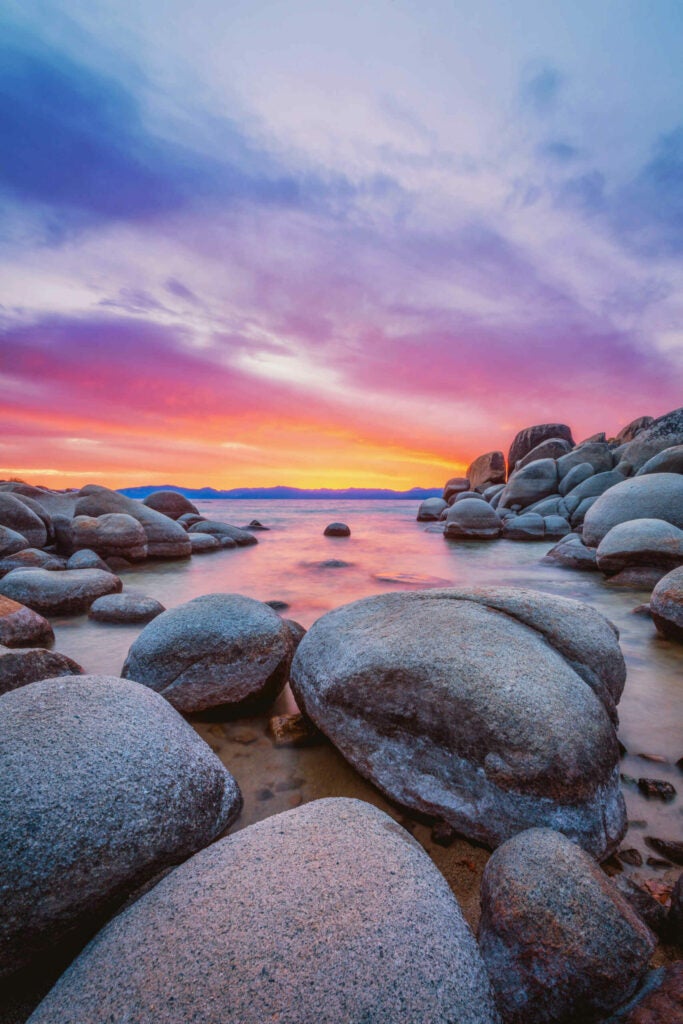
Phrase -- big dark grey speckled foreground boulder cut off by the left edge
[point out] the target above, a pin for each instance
(102, 787)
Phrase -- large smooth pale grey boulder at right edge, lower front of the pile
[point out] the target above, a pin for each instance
(658, 496)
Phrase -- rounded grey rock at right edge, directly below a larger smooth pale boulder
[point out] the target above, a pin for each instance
(641, 542)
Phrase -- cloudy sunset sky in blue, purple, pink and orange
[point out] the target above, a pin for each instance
(332, 244)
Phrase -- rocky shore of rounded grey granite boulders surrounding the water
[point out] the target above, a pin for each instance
(485, 719)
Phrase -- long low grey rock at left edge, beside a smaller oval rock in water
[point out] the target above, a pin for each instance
(61, 593)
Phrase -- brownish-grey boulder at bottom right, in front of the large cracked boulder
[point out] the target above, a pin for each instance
(560, 943)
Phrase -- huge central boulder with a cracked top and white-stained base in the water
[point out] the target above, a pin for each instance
(491, 708)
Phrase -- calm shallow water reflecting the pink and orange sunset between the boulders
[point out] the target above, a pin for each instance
(389, 545)
